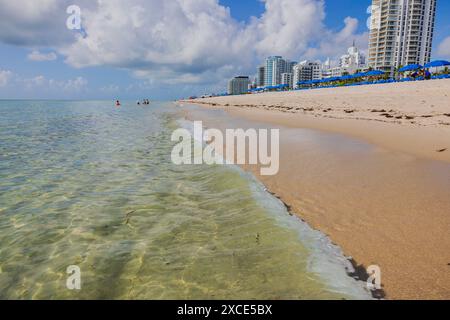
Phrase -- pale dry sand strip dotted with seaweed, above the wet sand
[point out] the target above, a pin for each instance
(423, 130)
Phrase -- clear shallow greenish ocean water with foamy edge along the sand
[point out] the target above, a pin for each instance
(92, 185)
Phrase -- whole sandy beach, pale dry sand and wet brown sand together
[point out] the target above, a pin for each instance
(368, 166)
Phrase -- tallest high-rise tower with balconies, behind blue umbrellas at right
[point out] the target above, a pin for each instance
(401, 33)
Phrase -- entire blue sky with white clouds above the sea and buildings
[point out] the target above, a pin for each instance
(112, 63)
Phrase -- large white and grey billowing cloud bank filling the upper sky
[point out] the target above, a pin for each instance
(175, 41)
